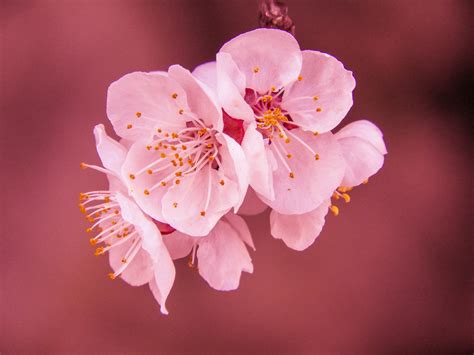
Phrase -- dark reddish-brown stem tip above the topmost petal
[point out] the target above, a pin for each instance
(274, 14)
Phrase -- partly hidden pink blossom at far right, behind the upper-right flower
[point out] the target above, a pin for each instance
(363, 149)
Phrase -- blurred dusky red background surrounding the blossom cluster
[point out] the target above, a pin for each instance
(392, 273)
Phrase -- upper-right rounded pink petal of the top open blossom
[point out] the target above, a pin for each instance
(323, 97)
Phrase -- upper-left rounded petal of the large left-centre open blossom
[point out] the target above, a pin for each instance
(138, 103)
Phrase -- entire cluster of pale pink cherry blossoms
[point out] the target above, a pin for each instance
(248, 131)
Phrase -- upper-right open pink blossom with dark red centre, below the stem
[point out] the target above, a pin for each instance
(288, 100)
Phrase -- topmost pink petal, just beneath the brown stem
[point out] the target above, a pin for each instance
(266, 57)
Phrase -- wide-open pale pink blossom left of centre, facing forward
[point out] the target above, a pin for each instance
(182, 169)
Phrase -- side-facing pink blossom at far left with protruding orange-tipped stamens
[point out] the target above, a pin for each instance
(136, 250)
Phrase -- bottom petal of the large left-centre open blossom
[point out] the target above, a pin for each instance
(183, 204)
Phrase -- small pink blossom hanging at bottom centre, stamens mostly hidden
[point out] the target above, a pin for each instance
(221, 256)
